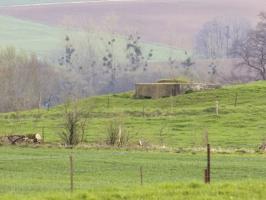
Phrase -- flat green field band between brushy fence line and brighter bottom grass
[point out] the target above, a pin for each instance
(25, 170)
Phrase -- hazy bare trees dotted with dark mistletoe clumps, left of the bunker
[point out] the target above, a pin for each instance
(96, 63)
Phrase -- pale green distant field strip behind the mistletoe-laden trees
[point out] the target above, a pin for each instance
(46, 40)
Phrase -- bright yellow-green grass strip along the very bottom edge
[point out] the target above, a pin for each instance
(196, 191)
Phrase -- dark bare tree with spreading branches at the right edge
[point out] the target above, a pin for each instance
(252, 51)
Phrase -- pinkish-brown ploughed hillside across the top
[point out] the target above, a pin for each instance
(172, 22)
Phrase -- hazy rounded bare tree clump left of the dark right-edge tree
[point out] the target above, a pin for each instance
(217, 37)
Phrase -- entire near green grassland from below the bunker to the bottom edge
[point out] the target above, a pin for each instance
(42, 172)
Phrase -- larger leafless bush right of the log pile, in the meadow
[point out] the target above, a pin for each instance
(74, 126)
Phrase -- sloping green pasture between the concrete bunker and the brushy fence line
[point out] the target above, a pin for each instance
(184, 119)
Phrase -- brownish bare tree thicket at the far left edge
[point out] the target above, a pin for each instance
(26, 82)
